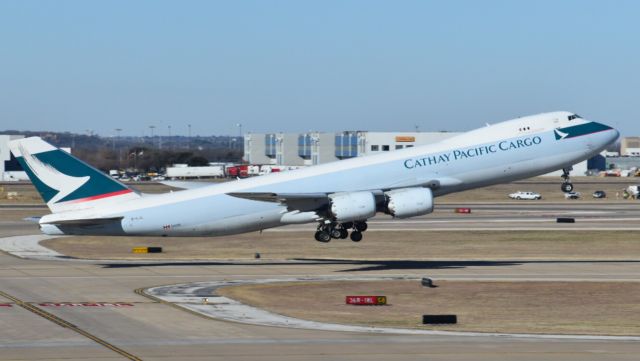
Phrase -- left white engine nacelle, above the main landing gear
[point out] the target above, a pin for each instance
(353, 206)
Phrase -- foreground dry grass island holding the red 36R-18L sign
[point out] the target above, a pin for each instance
(515, 307)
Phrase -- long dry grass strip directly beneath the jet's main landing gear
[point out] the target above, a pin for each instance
(457, 245)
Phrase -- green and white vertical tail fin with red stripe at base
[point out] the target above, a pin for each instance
(65, 182)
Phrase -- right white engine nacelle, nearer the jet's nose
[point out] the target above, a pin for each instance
(409, 202)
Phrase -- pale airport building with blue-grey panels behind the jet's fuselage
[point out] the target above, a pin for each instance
(293, 149)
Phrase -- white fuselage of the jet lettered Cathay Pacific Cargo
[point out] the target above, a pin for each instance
(499, 153)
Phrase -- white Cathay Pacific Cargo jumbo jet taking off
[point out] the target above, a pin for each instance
(340, 197)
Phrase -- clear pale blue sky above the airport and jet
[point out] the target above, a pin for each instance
(323, 65)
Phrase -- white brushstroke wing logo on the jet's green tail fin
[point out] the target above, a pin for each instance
(53, 178)
